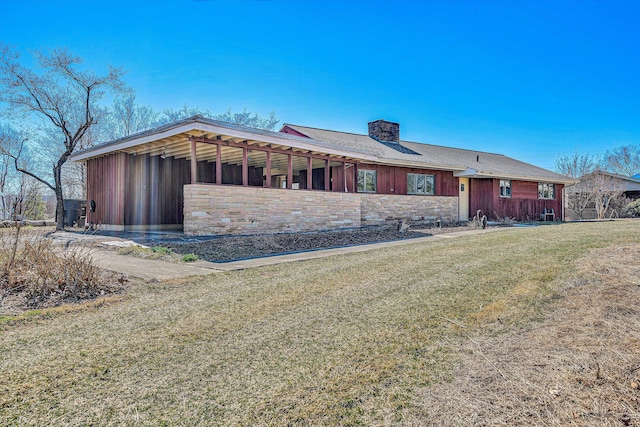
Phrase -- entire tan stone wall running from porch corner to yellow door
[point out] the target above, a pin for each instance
(221, 209)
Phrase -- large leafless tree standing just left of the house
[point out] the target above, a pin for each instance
(59, 105)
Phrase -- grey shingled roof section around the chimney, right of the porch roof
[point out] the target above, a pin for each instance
(465, 163)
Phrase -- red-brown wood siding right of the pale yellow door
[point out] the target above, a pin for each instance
(524, 204)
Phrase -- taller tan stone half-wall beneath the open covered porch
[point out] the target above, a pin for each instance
(220, 209)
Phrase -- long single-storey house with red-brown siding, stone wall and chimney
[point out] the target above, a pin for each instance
(204, 176)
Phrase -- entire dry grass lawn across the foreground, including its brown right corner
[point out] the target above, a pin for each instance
(534, 326)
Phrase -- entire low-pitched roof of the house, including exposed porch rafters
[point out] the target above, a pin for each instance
(173, 140)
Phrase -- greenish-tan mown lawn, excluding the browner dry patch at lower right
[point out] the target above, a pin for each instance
(358, 339)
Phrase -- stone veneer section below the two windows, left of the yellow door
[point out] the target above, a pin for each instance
(378, 208)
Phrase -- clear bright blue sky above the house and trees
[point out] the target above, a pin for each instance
(529, 79)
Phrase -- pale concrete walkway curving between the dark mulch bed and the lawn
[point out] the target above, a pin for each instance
(164, 270)
